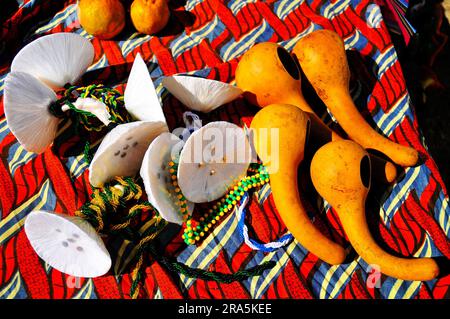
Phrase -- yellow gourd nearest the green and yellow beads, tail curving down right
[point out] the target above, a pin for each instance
(292, 126)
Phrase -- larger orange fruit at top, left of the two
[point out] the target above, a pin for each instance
(102, 18)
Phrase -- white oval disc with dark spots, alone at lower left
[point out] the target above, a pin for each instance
(68, 244)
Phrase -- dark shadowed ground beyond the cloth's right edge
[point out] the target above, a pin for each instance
(426, 65)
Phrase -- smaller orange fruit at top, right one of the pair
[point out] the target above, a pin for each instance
(149, 16)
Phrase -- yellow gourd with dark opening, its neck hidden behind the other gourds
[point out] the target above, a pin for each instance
(268, 74)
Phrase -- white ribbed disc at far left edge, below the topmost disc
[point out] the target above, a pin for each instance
(26, 102)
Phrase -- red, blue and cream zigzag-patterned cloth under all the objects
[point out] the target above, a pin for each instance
(207, 38)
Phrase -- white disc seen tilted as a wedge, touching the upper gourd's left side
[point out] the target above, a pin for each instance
(200, 94)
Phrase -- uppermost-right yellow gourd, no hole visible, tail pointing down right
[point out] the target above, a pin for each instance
(321, 55)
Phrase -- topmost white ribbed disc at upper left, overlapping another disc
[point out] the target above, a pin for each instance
(55, 59)
